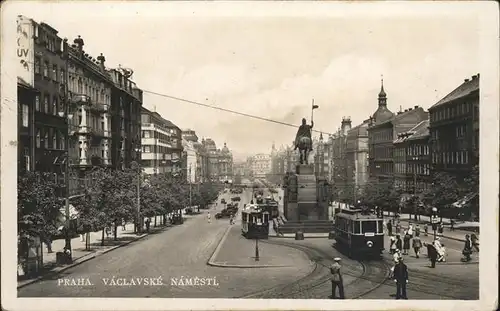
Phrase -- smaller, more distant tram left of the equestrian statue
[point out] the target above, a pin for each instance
(254, 222)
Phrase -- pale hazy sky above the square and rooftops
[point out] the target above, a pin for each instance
(273, 66)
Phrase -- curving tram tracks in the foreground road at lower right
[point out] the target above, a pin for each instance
(369, 276)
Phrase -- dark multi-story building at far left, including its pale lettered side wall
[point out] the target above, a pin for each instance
(43, 59)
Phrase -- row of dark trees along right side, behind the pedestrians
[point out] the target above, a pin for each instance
(445, 189)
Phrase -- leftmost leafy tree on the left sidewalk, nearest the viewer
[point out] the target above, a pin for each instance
(38, 207)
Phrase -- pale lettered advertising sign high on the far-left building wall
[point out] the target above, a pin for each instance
(25, 53)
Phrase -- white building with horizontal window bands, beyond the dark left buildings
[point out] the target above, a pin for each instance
(156, 143)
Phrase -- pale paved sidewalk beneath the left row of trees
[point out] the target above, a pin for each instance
(81, 255)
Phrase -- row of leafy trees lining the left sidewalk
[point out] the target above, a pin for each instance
(110, 199)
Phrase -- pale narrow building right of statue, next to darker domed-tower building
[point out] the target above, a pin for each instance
(357, 155)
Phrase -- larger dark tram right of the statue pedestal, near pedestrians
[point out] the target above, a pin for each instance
(360, 231)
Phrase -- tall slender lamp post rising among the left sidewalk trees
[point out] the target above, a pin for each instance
(67, 245)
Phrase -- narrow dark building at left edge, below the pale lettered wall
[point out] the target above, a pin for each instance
(25, 124)
